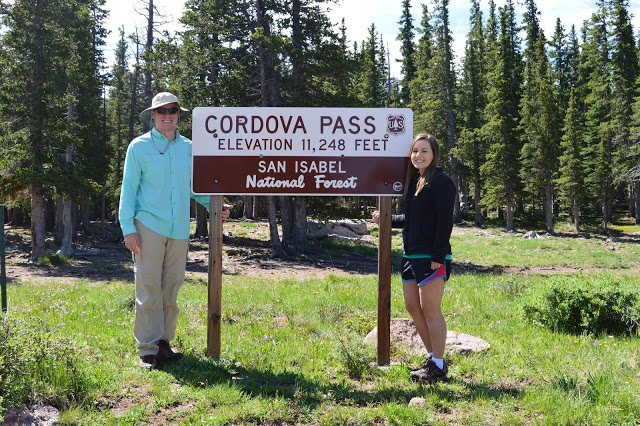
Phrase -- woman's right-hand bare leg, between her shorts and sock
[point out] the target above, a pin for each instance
(430, 300)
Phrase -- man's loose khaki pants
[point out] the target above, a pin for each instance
(159, 273)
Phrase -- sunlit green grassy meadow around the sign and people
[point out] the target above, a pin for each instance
(292, 350)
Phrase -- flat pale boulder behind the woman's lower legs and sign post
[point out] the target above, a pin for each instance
(404, 334)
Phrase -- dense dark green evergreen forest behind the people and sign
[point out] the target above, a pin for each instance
(532, 125)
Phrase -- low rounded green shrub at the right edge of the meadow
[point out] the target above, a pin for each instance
(578, 305)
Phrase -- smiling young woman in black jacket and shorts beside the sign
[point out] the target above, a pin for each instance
(426, 264)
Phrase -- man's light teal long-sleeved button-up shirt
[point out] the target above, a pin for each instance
(156, 187)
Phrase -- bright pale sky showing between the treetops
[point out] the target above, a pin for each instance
(385, 14)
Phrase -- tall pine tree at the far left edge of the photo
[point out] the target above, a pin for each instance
(33, 55)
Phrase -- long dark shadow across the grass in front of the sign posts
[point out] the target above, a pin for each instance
(298, 389)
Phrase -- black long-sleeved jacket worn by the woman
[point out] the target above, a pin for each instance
(428, 218)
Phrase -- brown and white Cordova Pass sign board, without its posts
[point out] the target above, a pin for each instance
(305, 151)
